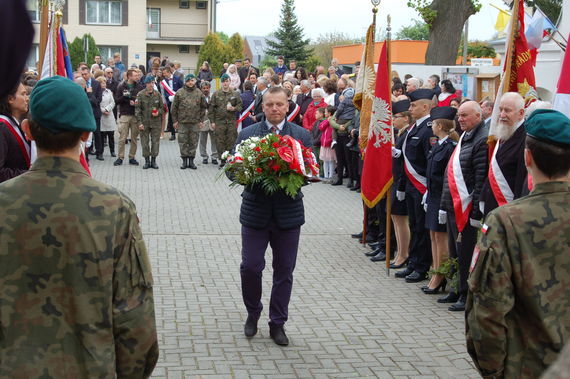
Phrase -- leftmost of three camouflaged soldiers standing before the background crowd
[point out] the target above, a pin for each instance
(149, 109)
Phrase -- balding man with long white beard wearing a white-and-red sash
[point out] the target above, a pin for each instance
(507, 172)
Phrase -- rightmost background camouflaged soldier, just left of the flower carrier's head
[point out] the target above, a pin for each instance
(222, 114)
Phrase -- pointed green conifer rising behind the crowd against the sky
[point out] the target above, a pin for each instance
(290, 42)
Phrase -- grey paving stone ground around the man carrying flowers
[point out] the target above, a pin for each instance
(347, 318)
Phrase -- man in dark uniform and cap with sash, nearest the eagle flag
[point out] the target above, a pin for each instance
(418, 142)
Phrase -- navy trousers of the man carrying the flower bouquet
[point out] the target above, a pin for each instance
(284, 244)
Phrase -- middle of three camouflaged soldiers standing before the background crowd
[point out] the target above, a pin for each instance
(188, 111)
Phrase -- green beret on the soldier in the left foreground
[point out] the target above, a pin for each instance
(60, 105)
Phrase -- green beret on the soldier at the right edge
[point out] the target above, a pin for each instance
(549, 126)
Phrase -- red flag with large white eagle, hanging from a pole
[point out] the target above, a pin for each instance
(377, 171)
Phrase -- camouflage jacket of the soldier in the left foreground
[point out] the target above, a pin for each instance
(76, 296)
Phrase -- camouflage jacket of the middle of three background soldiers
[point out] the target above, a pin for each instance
(189, 105)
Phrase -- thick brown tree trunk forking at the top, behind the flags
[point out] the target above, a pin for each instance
(445, 20)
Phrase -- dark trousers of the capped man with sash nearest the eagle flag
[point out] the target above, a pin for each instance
(420, 245)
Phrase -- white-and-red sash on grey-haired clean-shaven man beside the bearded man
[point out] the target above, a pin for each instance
(462, 199)
